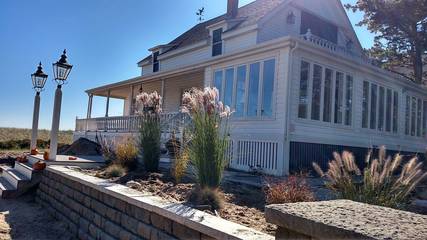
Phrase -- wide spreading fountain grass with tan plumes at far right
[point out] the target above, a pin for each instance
(384, 181)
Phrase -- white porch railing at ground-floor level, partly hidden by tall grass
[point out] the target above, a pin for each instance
(122, 123)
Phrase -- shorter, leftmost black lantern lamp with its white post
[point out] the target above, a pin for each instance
(39, 79)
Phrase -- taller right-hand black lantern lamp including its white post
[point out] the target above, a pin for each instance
(61, 70)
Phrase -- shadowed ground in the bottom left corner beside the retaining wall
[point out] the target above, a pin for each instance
(23, 219)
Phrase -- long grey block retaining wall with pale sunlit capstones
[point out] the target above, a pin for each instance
(94, 208)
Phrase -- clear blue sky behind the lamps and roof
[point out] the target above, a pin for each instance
(104, 38)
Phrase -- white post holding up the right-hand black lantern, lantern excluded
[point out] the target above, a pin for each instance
(55, 124)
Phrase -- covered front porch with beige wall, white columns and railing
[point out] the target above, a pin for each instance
(170, 86)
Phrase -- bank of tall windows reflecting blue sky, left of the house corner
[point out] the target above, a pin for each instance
(248, 89)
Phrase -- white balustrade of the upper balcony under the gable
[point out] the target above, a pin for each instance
(340, 50)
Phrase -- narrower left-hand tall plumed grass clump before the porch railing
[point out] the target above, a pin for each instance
(150, 129)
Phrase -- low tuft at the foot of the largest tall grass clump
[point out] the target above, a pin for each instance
(207, 196)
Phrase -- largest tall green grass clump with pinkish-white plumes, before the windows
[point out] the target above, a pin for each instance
(207, 148)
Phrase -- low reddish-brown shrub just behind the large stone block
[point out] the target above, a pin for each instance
(293, 189)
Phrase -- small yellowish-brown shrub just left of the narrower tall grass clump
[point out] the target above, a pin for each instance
(126, 154)
